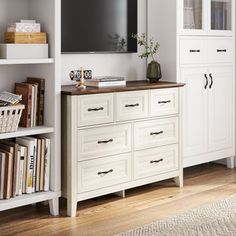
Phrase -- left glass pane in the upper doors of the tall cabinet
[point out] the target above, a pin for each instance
(193, 15)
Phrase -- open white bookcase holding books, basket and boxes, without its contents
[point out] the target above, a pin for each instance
(46, 12)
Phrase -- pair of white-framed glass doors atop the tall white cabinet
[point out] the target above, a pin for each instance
(206, 17)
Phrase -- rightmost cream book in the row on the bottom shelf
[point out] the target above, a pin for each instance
(47, 162)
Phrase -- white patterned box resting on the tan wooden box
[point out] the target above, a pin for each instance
(23, 27)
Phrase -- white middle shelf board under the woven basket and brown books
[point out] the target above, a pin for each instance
(28, 131)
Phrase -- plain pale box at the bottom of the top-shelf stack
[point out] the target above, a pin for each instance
(23, 51)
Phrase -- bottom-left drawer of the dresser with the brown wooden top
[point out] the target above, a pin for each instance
(103, 172)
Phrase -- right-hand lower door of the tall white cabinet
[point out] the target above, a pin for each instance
(221, 108)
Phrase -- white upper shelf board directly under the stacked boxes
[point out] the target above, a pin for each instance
(26, 61)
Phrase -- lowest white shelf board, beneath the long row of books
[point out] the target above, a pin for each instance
(27, 199)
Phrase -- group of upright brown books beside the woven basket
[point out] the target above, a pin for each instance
(32, 93)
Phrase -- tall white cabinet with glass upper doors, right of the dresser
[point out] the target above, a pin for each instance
(197, 47)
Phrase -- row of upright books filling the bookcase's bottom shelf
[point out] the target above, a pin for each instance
(24, 166)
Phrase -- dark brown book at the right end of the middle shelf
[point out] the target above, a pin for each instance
(41, 92)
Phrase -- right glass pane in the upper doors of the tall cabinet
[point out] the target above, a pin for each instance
(221, 15)
